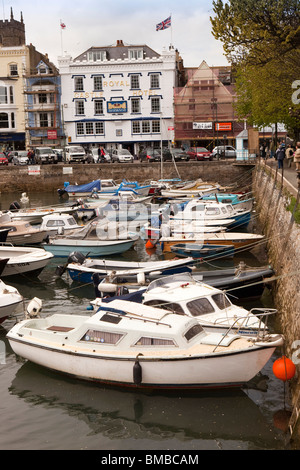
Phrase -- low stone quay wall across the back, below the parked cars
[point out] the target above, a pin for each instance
(52, 177)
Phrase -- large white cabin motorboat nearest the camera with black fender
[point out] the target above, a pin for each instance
(131, 345)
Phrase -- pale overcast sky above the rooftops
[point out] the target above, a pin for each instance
(103, 22)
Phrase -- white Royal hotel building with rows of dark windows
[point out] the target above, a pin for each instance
(119, 96)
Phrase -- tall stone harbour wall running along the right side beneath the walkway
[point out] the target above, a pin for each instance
(273, 195)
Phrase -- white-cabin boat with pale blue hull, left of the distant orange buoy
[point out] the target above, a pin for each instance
(98, 237)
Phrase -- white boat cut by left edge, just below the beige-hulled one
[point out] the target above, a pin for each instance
(23, 260)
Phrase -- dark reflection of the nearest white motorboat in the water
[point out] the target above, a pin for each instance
(122, 416)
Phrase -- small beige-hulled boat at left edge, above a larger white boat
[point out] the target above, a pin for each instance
(21, 232)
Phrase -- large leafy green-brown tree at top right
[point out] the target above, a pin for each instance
(261, 38)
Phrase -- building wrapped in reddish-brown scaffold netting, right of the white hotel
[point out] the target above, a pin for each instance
(203, 108)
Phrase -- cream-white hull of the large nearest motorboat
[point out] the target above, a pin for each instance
(185, 372)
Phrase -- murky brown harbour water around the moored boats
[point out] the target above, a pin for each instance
(42, 410)
